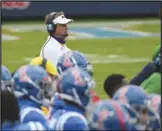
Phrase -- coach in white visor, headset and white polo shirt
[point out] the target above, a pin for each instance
(57, 29)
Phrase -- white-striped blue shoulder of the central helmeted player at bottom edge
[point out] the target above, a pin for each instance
(68, 120)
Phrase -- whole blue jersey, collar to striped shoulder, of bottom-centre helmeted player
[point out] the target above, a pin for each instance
(67, 117)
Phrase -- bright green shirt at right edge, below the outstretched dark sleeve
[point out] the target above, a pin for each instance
(153, 84)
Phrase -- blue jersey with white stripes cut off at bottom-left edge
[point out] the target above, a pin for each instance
(30, 126)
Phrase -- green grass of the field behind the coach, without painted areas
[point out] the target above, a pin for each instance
(108, 55)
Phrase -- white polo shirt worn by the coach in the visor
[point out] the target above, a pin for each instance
(52, 50)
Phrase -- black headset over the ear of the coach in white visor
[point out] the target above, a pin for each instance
(51, 27)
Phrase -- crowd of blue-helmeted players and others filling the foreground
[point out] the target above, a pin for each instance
(38, 96)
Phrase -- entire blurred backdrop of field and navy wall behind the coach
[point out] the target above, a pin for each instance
(116, 37)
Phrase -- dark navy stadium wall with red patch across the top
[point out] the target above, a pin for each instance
(32, 10)
